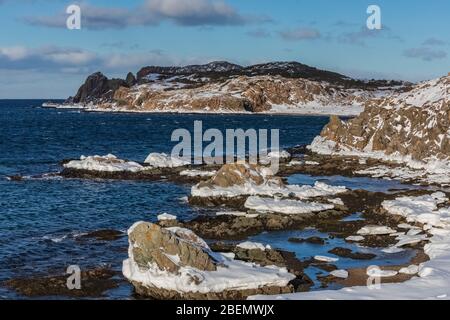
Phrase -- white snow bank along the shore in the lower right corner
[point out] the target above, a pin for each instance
(433, 280)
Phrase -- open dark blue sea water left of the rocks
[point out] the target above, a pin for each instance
(41, 219)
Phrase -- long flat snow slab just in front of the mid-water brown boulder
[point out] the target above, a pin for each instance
(284, 206)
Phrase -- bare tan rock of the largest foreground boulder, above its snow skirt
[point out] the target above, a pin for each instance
(169, 250)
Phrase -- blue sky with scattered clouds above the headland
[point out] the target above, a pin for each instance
(41, 58)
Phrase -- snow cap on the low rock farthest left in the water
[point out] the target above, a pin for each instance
(108, 163)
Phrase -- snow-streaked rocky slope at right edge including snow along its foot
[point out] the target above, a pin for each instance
(410, 128)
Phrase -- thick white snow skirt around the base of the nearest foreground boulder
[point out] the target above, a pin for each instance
(230, 275)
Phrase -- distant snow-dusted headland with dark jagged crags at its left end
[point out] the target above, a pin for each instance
(226, 87)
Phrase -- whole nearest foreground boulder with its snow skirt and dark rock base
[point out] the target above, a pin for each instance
(174, 263)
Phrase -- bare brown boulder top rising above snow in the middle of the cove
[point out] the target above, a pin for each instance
(238, 174)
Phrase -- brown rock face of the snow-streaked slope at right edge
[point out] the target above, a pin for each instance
(415, 123)
